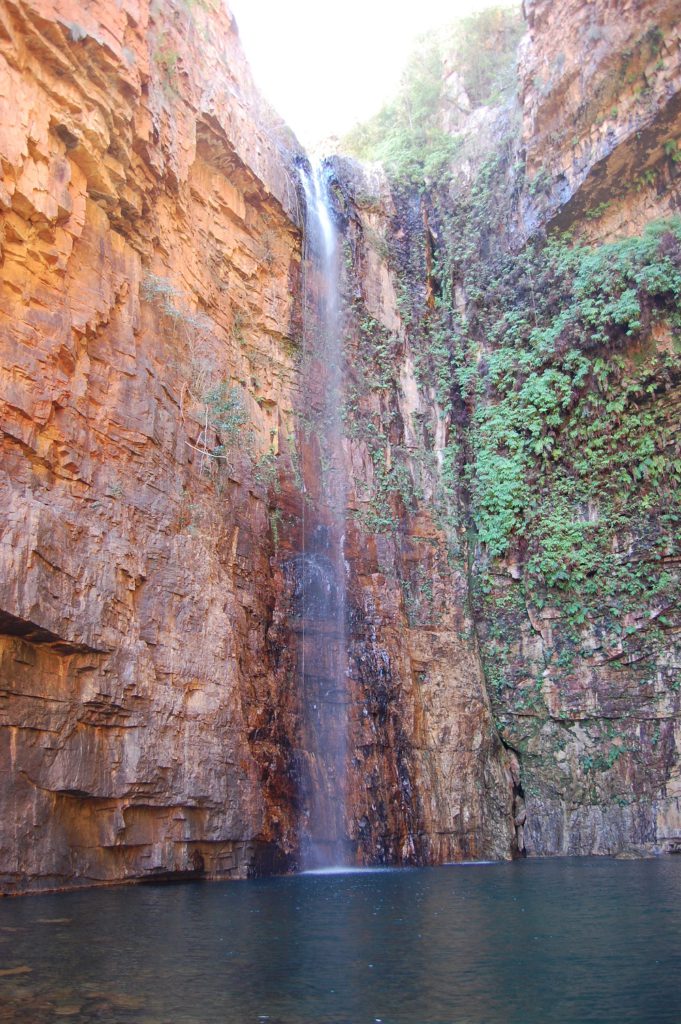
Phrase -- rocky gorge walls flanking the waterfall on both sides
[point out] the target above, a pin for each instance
(512, 612)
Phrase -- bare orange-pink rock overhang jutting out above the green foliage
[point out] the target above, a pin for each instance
(601, 109)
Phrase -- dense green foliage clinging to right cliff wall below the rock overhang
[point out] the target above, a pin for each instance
(576, 466)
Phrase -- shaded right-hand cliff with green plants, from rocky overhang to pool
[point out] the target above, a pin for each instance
(545, 416)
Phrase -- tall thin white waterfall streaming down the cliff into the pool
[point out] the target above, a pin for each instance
(321, 569)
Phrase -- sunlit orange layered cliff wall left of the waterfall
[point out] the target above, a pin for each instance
(151, 258)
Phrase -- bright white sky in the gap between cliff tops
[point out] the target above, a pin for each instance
(325, 65)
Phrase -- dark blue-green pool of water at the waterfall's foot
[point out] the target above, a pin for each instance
(533, 943)
